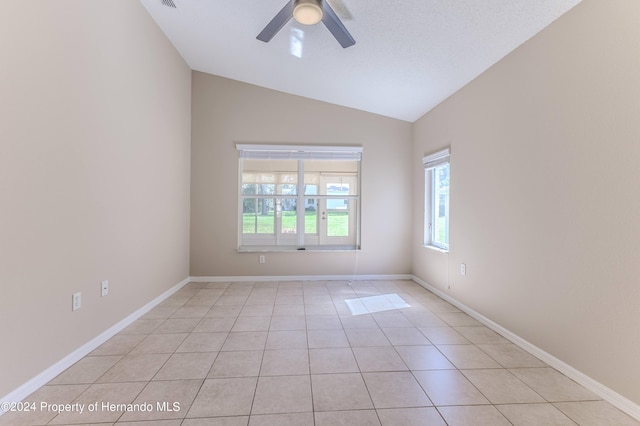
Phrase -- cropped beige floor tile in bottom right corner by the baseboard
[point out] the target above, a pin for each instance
(595, 413)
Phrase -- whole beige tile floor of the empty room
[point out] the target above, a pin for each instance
(292, 353)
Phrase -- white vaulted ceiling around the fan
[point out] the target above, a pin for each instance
(409, 55)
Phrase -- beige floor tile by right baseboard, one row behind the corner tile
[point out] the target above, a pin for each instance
(553, 386)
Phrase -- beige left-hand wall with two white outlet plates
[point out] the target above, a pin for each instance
(94, 173)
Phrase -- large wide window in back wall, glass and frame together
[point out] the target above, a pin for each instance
(299, 197)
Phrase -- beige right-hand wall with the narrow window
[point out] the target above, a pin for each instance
(545, 204)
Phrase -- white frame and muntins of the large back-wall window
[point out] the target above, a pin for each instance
(301, 241)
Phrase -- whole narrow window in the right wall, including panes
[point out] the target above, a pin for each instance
(437, 169)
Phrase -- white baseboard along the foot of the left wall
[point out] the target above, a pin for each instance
(44, 377)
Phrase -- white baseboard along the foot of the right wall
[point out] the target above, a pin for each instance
(607, 394)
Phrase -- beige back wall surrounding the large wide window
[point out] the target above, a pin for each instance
(225, 112)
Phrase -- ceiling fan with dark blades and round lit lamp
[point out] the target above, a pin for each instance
(308, 12)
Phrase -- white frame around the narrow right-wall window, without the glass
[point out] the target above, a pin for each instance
(432, 163)
